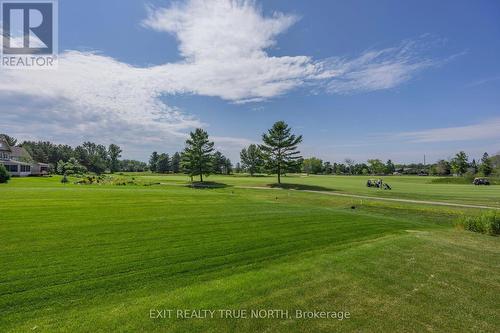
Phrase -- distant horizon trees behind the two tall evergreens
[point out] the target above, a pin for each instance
(97, 158)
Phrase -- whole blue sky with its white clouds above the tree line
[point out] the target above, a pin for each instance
(359, 79)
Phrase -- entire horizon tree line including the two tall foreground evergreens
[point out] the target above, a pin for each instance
(277, 154)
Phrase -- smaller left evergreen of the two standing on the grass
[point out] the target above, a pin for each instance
(197, 156)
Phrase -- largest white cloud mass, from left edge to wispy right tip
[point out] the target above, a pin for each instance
(225, 49)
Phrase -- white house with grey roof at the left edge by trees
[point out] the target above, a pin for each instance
(18, 161)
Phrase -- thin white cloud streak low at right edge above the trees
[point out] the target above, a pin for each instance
(482, 131)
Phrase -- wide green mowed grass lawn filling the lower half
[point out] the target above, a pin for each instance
(97, 258)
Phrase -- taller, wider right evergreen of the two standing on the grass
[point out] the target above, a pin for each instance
(280, 149)
